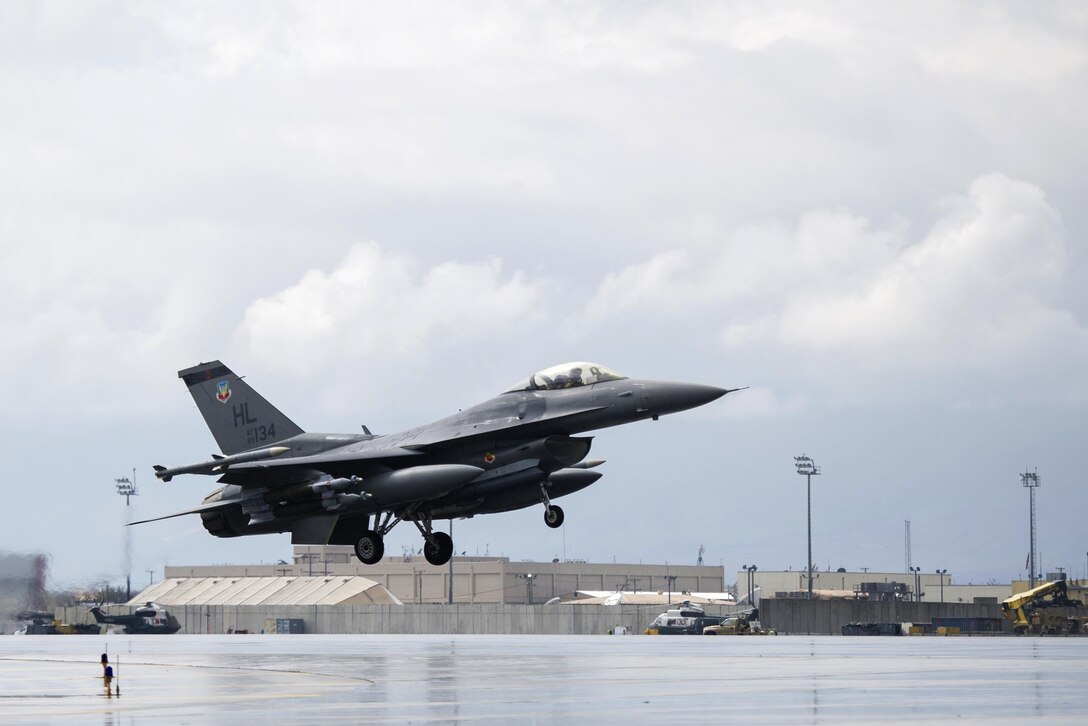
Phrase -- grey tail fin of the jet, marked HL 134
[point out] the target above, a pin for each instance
(239, 417)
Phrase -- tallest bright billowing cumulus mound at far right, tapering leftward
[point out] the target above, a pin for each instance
(973, 293)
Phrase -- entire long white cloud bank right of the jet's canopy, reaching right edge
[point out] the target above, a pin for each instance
(848, 300)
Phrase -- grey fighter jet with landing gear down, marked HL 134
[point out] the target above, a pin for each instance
(514, 451)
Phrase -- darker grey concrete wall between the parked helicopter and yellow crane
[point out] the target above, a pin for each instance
(829, 617)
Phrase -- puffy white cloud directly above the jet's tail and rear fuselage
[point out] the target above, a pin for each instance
(379, 302)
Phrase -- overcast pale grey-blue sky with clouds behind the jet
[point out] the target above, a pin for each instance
(872, 215)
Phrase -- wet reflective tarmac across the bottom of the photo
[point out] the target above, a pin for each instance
(239, 680)
